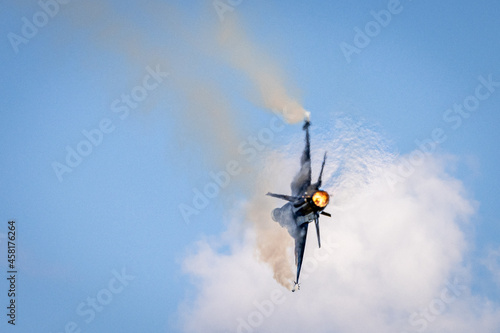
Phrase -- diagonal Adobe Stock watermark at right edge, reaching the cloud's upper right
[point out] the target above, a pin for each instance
(454, 118)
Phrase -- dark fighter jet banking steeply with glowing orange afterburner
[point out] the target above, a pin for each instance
(305, 205)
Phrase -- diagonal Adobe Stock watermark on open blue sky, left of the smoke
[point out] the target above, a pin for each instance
(94, 137)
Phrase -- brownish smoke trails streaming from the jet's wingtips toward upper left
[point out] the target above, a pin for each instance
(207, 118)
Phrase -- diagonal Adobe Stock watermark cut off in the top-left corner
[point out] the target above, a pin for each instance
(30, 27)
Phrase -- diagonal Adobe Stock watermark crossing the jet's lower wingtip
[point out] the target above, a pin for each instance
(265, 308)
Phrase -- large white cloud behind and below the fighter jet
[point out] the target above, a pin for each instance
(398, 251)
